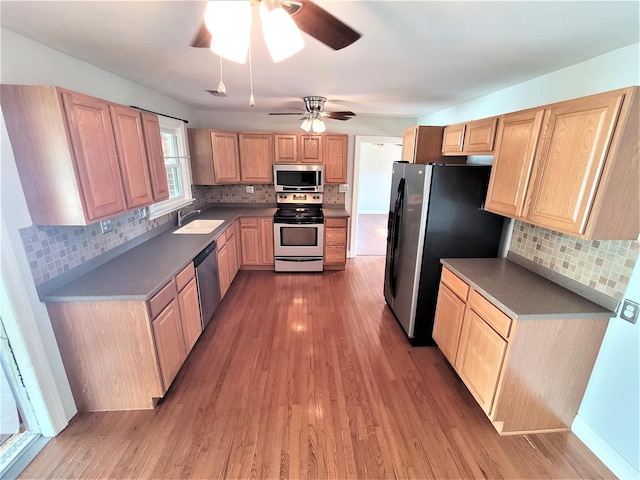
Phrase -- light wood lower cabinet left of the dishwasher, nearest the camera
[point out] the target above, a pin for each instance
(124, 354)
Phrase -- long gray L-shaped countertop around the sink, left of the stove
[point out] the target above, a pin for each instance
(142, 271)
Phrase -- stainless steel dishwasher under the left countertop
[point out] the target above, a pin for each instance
(206, 264)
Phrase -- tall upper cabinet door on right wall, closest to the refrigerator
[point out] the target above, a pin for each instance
(516, 143)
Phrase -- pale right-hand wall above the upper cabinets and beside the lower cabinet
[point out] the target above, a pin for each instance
(607, 421)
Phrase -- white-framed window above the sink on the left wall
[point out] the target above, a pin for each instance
(176, 162)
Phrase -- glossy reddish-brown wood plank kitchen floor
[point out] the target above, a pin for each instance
(309, 376)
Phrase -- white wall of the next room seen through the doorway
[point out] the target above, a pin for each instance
(374, 177)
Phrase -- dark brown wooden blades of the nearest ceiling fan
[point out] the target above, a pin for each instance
(309, 18)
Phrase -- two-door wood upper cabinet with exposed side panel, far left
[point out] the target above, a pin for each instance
(76, 155)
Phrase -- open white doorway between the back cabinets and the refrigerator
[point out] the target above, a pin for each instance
(374, 157)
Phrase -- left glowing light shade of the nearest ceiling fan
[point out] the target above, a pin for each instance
(229, 23)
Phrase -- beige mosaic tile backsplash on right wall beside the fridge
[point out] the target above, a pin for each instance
(604, 266)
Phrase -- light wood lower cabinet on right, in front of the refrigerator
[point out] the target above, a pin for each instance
(528, 375)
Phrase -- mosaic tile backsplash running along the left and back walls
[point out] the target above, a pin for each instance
(52, 250)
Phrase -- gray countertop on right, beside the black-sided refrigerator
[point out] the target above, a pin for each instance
(521, 293)
